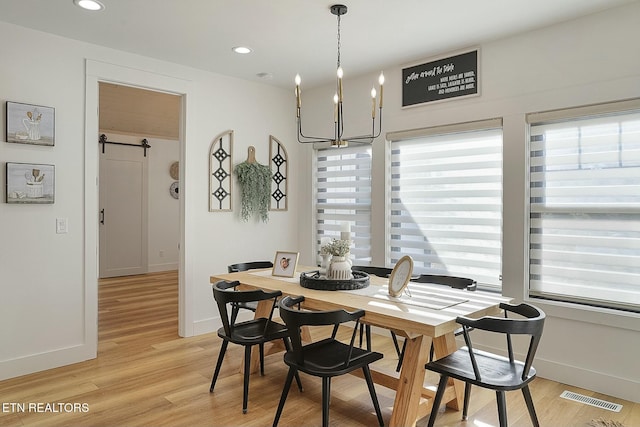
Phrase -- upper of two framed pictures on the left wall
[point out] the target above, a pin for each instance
(30, 124)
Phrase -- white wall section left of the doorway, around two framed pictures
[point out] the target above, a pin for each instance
(41, 272)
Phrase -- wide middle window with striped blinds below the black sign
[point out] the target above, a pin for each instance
(445, 199)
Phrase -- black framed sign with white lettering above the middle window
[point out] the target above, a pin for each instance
(446, 78)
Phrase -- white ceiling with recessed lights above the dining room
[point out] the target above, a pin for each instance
(294, 36)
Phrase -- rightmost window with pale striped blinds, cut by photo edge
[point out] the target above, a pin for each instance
(584, 212)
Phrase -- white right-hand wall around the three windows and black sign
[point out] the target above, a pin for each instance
(590, 60)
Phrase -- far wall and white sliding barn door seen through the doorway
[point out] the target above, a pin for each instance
(139, 144)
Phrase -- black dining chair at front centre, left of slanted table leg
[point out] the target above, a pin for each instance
(324, 358)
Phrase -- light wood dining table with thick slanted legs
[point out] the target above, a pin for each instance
(424, 314)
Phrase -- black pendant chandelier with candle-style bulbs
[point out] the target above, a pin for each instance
(338, 139)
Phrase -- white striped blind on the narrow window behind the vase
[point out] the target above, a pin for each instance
(343, 195)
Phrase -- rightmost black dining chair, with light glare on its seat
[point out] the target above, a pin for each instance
(492, 371)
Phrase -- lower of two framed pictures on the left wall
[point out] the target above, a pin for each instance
(30, 183)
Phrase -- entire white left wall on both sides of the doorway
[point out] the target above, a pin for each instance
(48, 281)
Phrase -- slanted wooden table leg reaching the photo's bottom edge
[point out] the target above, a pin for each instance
(408, 394)
